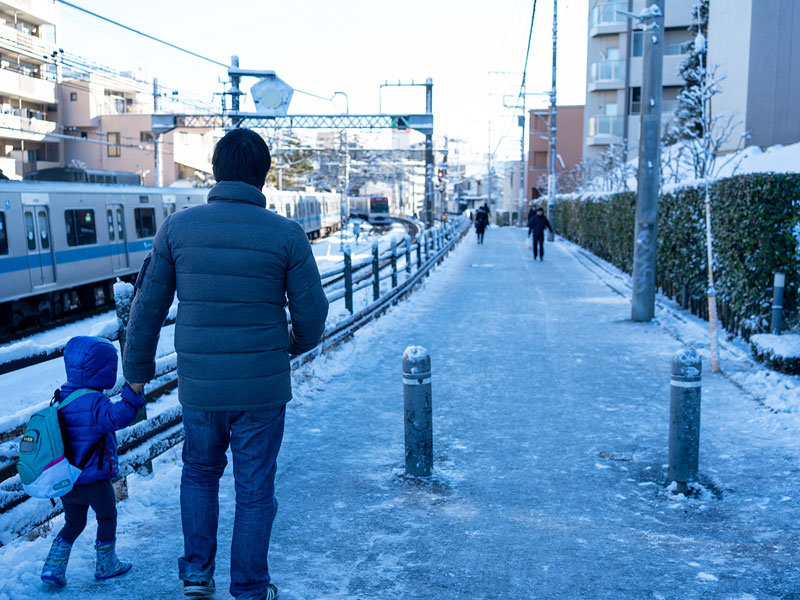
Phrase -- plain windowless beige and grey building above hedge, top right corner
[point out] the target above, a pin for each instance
(755, 44)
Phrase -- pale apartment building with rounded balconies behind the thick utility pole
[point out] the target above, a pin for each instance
(614, 70)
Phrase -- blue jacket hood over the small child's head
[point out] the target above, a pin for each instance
(91, 362)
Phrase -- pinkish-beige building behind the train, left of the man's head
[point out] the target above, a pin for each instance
(110, 117)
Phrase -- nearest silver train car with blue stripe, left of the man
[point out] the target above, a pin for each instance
(62, 245)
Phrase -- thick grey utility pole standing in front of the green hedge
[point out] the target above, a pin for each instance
(646, 240)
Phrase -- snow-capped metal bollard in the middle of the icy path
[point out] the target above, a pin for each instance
(418, 409)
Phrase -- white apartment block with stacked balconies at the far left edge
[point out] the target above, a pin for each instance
(28, 88)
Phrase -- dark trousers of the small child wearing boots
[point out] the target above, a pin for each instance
(100, 496)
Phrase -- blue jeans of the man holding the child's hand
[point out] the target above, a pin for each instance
(255, 439)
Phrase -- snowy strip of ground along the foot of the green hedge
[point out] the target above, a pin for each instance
(776, 391)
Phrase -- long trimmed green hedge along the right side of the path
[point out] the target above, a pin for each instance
(755, 219)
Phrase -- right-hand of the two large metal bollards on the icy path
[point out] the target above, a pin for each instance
(684, 418)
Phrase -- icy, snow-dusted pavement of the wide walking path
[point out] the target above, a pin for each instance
(550, 437)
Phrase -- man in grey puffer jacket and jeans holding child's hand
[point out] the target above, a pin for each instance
(233, 265)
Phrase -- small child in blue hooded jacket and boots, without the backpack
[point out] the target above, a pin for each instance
(88, 425)
